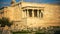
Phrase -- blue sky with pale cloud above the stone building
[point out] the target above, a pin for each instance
(7, 2)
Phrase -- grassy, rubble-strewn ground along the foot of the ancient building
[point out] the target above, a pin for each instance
(43, 30)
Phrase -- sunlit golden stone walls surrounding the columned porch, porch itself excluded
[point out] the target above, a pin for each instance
(51, 15)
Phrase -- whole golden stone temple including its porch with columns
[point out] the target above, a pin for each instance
(27, 14)
